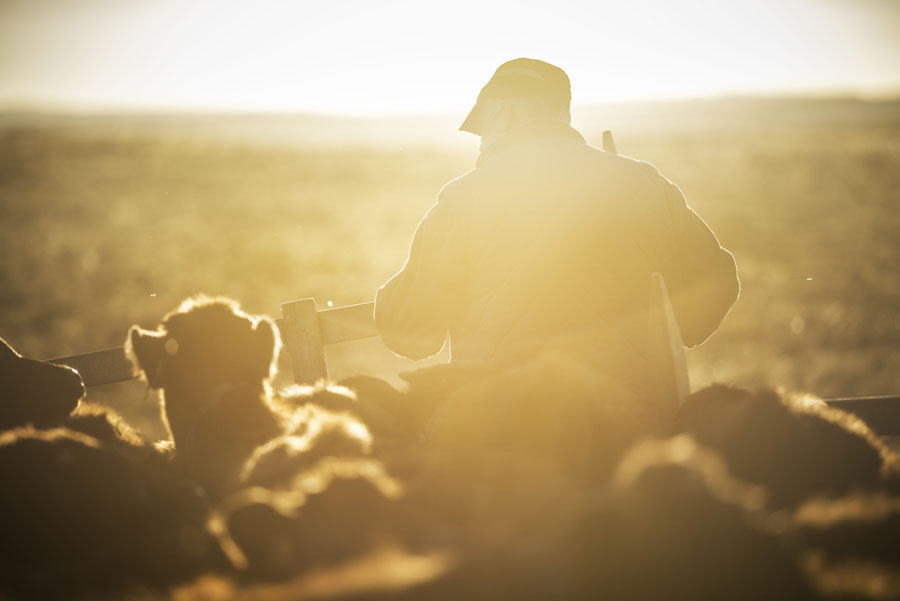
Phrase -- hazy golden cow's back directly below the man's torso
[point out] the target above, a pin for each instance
(552, 409)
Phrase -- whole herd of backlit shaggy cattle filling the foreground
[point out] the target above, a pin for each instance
(549, 481)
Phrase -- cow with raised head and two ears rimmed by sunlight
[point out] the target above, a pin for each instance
(212, 363)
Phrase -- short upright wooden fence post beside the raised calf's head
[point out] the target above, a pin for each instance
(303, 339)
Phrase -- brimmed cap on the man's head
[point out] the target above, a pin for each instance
(521, 78)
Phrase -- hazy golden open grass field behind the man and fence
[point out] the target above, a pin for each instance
(103, 227)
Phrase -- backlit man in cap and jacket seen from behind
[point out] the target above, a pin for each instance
(549, 243)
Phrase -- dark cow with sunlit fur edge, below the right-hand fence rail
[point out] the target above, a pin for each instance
(796, 447)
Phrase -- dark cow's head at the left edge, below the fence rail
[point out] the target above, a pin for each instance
(35, 393)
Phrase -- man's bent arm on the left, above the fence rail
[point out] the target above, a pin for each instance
(414, 309)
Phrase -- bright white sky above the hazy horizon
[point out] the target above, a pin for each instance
(402, 56)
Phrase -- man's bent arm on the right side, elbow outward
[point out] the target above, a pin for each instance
(701, 275)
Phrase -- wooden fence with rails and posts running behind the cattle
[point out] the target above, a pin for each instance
(306, 332)
